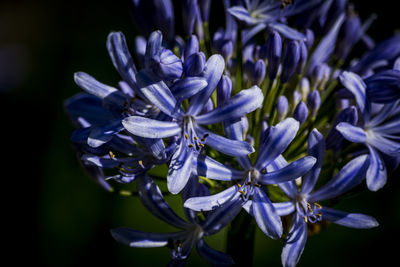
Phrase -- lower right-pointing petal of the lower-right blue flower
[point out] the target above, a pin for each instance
(353, 220)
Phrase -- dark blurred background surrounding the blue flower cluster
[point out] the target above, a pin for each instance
(53, 214)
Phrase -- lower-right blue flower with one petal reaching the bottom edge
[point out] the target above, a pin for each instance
(304, 206)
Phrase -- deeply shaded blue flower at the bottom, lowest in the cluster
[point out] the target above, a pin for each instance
(191, 232)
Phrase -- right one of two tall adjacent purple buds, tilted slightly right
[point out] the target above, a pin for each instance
(290, 61)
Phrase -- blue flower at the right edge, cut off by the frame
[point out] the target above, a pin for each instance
(379, 130)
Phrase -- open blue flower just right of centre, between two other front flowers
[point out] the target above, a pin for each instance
(254, 176)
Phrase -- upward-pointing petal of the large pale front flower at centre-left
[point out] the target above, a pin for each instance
(213, 70)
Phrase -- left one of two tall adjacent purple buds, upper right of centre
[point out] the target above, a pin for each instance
(274, 53)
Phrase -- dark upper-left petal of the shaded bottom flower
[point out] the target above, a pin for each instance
(153, 200)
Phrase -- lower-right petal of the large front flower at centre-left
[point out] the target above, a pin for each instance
(224, 145)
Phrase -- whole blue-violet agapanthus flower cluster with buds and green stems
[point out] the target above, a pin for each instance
(269, 115)
